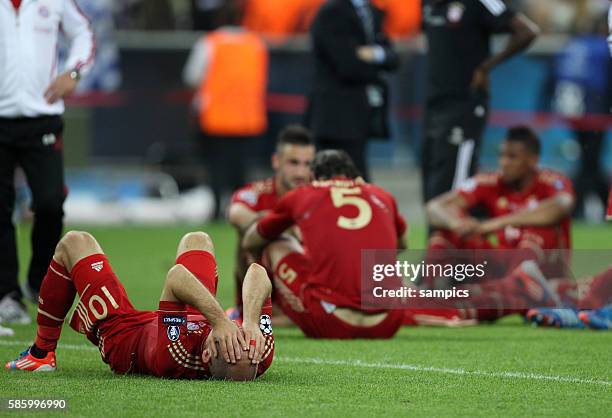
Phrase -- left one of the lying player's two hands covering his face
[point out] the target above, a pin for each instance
(230, 339)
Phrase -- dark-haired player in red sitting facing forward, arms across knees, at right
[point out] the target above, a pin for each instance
(528, 209)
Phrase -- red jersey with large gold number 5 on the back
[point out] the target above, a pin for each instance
(338, 219)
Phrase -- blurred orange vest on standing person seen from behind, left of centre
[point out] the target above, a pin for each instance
(232, 93)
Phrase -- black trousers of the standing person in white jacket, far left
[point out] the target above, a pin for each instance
(34, 144)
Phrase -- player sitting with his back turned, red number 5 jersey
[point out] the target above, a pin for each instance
(318, 283)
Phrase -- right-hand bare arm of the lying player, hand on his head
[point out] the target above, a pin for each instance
(256, 289)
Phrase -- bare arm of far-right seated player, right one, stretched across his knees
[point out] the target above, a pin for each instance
(549, 212)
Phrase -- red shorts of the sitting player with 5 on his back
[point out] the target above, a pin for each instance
(315, 316)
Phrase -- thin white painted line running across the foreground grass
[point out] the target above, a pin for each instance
(392, 366)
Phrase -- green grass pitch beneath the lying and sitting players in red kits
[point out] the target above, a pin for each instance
(506, 369)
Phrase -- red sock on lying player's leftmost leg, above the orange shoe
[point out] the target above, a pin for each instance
(56, 296)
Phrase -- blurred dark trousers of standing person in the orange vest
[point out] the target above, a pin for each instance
(226, 162)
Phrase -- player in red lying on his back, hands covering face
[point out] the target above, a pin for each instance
(189, 336)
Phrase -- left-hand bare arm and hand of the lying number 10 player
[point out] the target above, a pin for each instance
(182, 286)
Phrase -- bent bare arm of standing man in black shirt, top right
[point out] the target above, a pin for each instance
(523, 32)
